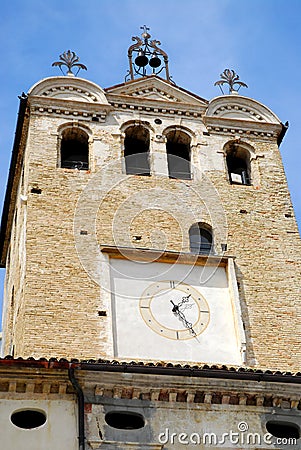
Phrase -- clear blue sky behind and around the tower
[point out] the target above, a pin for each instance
(260, 39)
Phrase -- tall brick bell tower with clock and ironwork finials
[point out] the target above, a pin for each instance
(152, 230)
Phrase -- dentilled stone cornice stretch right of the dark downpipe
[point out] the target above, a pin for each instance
(184, 390)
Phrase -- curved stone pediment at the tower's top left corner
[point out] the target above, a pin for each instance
(69, 88)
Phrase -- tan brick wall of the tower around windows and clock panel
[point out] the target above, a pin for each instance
(57, 313)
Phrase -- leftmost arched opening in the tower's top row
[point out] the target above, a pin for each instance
(74, 149)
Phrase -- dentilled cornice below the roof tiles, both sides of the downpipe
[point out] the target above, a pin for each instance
(98, 386)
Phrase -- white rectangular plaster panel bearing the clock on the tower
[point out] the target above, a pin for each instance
(165, 312)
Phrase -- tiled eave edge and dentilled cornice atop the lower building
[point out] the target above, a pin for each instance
(42, 377)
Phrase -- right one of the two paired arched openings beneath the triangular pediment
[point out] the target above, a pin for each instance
(178, 154)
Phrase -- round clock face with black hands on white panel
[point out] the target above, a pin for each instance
(174, 310)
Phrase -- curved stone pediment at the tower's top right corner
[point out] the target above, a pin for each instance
(240, 108)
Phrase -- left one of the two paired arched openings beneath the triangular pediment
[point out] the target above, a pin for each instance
(136, 150)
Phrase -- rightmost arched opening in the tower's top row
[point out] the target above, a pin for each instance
(238, 164)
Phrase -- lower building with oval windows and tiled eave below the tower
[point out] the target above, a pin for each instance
(114, 405)
